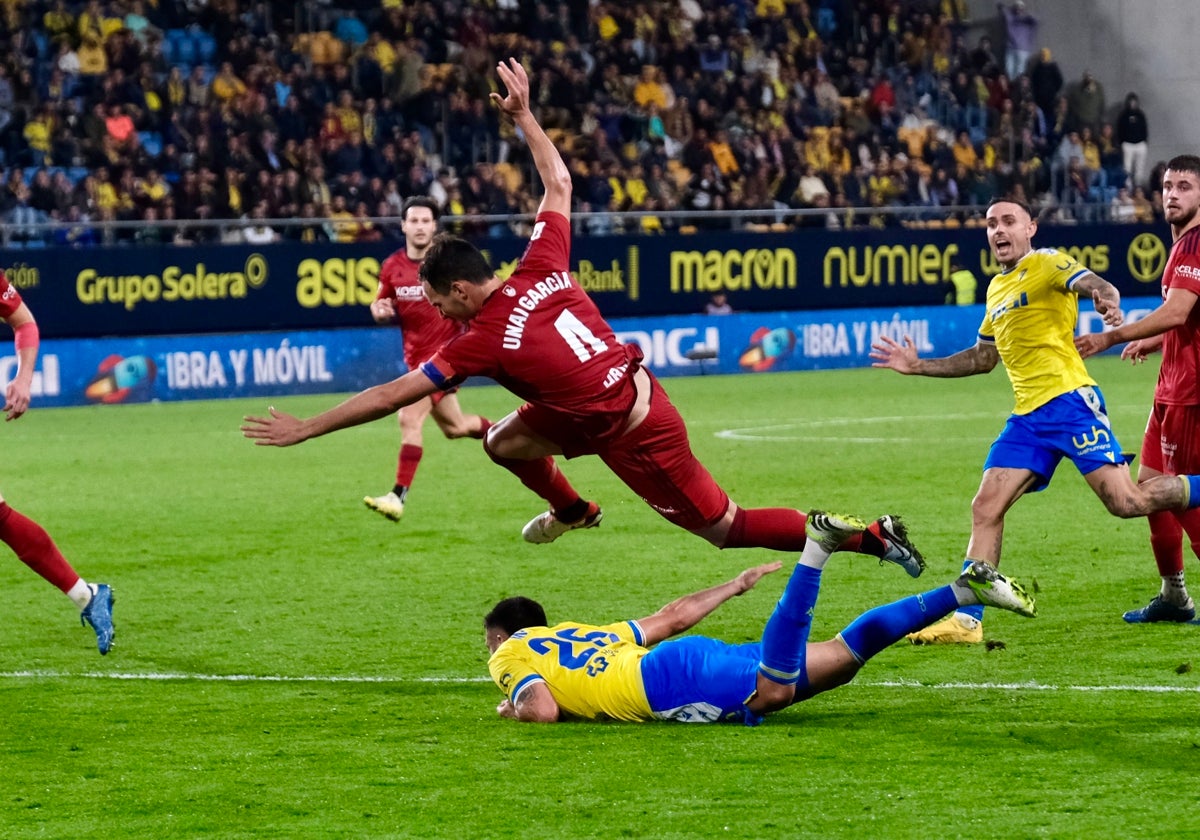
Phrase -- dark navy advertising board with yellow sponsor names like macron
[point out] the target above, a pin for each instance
(175, 290)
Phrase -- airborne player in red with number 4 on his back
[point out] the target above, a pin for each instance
(543, 338)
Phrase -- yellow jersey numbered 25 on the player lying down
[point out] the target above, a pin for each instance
(593, 673)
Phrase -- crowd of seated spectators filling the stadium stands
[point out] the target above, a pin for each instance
(159, 111)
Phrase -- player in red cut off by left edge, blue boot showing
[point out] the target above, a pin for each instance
(33, 545)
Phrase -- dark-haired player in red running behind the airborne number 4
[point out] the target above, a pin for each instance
(401, 301)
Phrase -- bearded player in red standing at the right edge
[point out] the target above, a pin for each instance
(1172, 445)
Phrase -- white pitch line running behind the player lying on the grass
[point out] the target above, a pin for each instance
(465, 681)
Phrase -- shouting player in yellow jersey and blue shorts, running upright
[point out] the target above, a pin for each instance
(1030, 326)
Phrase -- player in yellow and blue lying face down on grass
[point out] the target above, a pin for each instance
(613, 673)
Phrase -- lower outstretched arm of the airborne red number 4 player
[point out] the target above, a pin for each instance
(285, 430)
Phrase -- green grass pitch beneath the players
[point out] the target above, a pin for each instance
(291, 665)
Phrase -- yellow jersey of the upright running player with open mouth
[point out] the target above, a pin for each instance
(1031, 319)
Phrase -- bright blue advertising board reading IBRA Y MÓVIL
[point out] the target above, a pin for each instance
(208, 367)
